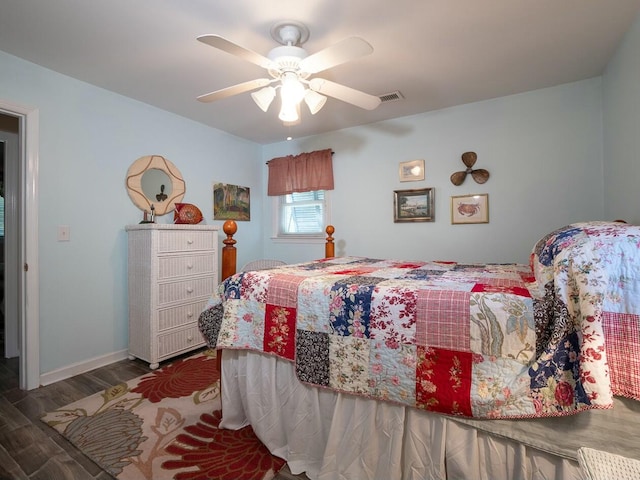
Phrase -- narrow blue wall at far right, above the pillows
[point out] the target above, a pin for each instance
(621, 87)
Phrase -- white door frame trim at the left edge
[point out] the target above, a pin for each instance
(27, 254)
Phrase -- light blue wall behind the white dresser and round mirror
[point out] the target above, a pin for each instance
(88, 139)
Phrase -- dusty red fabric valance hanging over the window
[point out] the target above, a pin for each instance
(301, 173)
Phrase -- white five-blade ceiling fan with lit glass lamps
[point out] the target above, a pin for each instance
(290, 68)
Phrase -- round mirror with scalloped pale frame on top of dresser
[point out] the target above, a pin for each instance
(154, 180)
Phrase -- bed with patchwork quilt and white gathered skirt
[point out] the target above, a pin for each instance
(365, 368)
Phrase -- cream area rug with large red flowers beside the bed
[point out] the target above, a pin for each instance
(164, 425)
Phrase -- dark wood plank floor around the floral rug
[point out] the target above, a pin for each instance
(31, 450)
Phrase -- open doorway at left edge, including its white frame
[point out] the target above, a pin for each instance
(20, 266)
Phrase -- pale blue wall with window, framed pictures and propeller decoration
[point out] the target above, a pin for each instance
(543, 150)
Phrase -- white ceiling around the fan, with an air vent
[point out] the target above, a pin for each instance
(437, 53)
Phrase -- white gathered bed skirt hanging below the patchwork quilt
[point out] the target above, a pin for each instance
(332, 436)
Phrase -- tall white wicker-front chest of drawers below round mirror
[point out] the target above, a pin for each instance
(173, 270)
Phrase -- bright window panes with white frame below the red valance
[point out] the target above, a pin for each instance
(302, 214)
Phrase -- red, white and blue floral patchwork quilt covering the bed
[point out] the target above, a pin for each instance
(474, 340)
